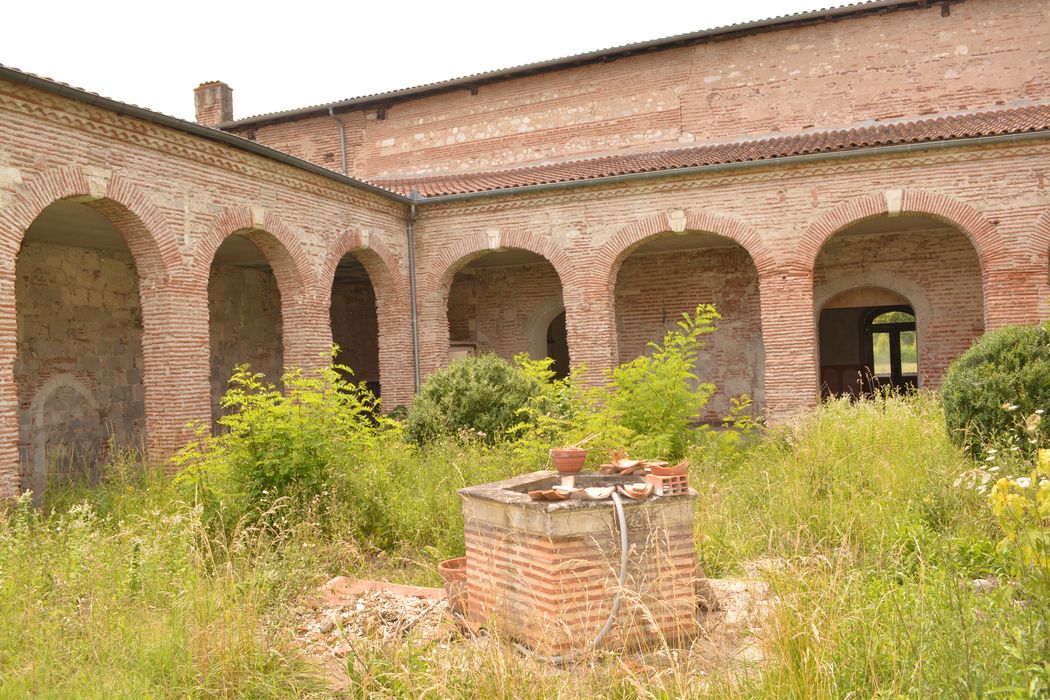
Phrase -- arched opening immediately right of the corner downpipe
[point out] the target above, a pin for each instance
(505, 302)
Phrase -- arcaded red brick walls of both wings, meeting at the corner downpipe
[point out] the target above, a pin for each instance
(176, 198)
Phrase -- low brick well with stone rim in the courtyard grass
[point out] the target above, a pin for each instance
(547, 575)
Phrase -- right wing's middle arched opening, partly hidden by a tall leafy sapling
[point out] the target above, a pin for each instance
(668, 275)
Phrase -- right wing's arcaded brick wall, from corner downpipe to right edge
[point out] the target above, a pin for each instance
(783, 217)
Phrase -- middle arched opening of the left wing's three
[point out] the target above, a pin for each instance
(244, 315)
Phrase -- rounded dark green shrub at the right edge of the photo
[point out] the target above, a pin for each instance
(1003, 377)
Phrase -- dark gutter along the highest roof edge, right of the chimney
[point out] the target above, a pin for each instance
(730, 31)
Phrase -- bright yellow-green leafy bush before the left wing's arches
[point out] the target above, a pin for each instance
(280, 444)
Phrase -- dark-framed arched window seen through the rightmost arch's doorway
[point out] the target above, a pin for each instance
(892, 347)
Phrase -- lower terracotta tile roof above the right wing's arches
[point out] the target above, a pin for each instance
(1020, 120)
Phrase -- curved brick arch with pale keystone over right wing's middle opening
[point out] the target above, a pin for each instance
(629, 239)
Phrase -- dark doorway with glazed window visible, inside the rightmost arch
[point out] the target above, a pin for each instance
(865, 350)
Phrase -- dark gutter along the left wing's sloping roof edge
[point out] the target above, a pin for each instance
(15, 76)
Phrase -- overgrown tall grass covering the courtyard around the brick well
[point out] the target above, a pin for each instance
(129, 590)
